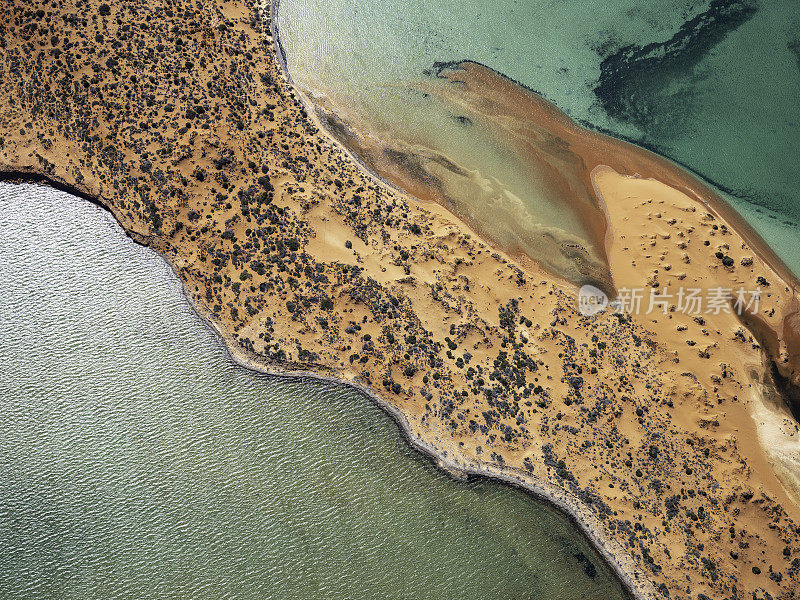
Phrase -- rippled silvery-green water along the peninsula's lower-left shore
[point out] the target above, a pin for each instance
(137, 461)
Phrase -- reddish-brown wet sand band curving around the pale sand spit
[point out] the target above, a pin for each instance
(589, 150)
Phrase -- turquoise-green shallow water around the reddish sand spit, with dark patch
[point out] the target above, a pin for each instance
(712, 85)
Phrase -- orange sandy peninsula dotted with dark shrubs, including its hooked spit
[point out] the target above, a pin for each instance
(667, 436)
